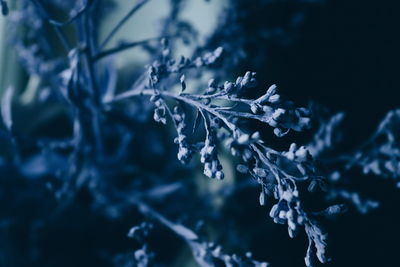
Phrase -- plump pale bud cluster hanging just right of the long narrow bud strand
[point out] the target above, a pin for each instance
(209, 157)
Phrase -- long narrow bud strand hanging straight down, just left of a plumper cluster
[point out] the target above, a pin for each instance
(184, 152)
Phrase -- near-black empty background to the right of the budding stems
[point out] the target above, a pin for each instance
(346, 57)
